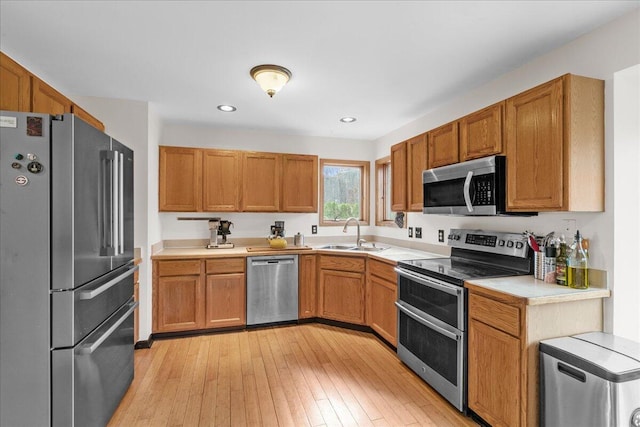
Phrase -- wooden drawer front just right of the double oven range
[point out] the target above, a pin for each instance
(496, 314)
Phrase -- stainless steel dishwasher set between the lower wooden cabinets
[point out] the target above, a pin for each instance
(272, 289)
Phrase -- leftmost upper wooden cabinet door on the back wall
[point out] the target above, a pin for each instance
(180, 182)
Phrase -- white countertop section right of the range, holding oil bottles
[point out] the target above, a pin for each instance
(535, 292)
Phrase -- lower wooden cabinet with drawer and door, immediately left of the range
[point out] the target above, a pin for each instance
(382, 293)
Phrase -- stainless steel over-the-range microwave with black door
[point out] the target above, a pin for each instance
(474, 187)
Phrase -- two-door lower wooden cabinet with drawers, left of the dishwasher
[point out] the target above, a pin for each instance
(199, 294)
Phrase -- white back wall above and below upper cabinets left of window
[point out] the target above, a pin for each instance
(256, 224)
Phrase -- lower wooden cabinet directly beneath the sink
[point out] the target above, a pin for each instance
(342, 288)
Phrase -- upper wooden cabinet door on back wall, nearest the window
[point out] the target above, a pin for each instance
(299, 183)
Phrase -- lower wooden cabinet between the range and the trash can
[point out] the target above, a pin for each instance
(503, 353)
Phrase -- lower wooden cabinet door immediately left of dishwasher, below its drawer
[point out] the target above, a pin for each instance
(225, 300)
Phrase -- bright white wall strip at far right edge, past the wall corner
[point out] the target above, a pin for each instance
(626, 157)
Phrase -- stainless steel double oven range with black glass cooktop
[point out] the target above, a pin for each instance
(432, 304)
